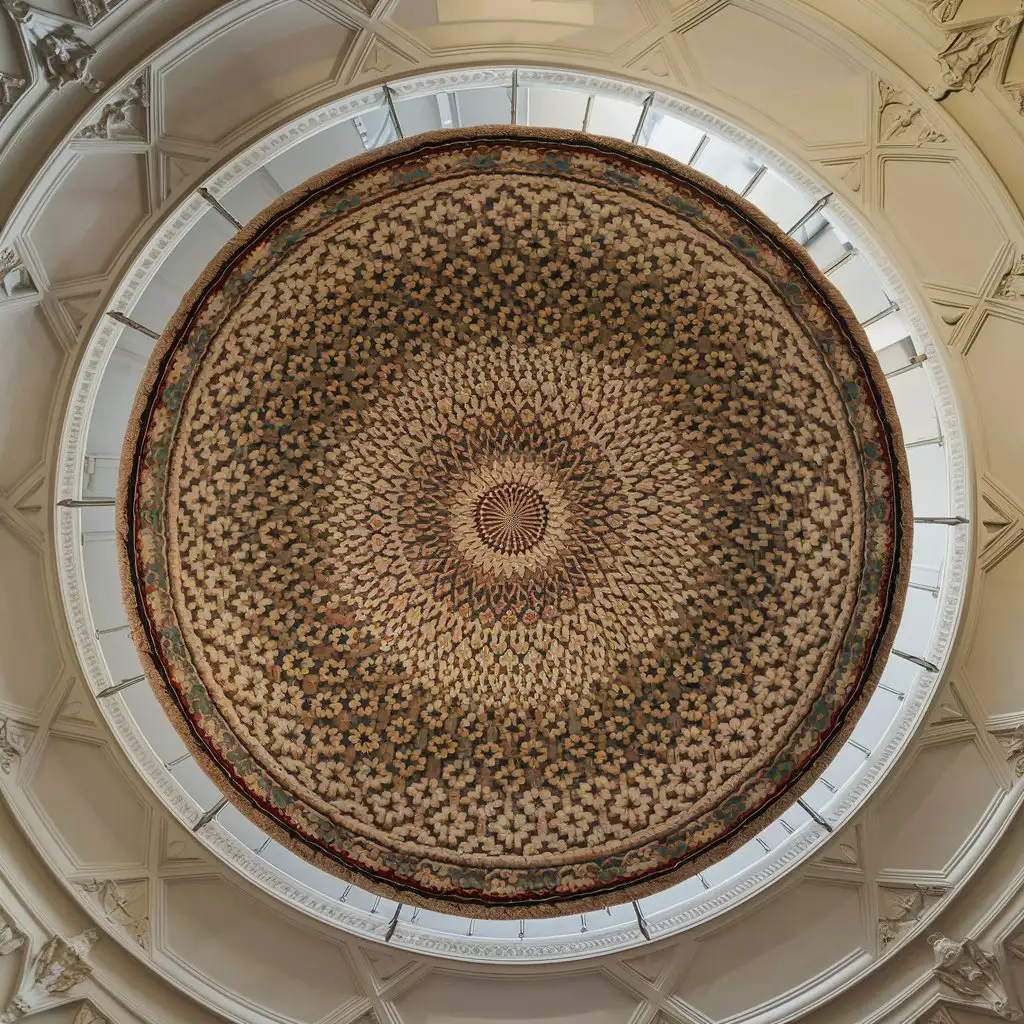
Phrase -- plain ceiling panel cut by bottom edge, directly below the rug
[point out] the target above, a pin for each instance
(450, 999)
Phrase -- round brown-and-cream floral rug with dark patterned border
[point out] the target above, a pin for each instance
(514, 523)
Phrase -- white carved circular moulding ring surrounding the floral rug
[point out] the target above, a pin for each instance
(370, 918)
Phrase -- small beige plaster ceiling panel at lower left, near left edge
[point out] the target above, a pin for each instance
(98, 814)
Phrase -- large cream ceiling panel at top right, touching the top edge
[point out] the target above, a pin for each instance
(796, 81)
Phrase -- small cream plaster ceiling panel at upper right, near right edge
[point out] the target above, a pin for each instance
(929, 201)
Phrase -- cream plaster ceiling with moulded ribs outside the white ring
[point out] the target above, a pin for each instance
(840, 88)
